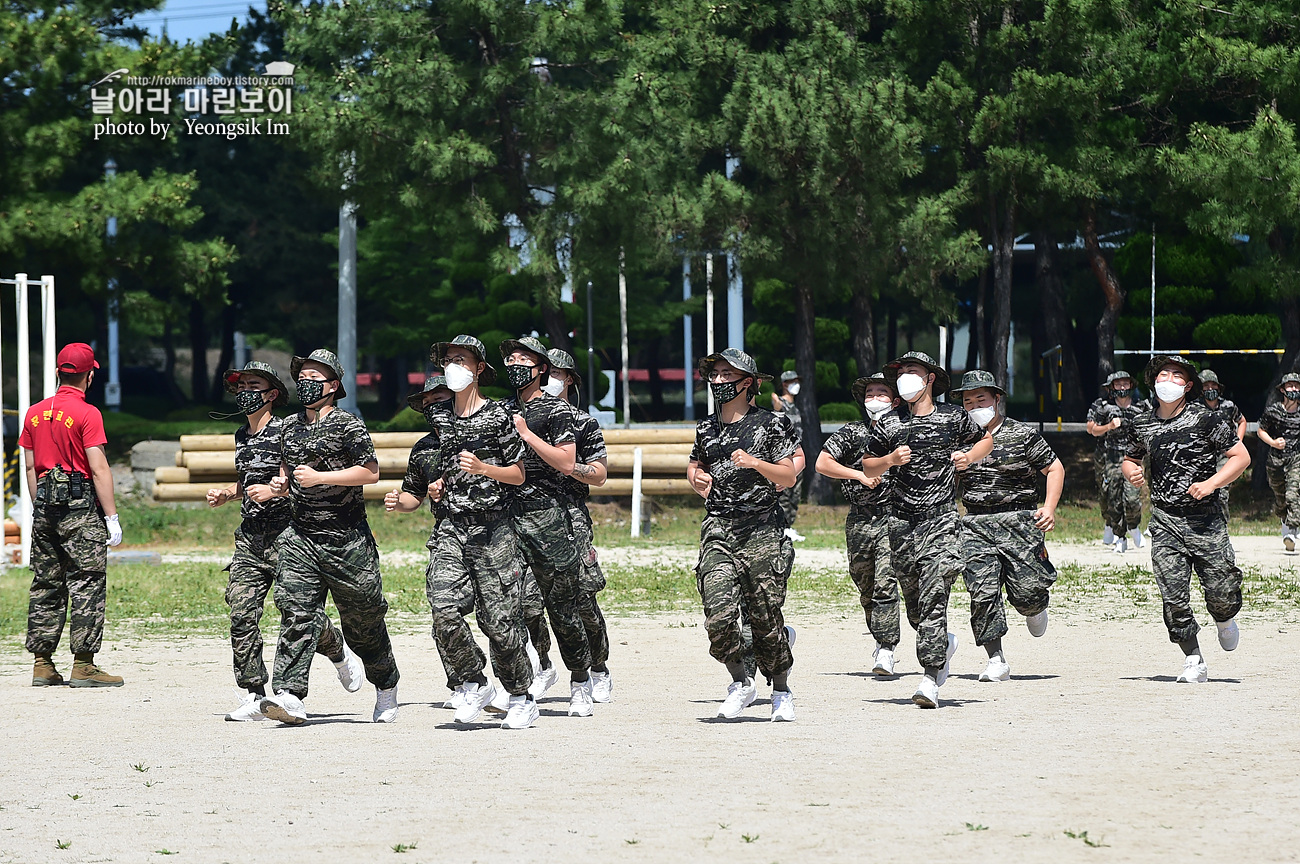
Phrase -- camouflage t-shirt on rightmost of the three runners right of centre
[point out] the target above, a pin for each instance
(1009, 475)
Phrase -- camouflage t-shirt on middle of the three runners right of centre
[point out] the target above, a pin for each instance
(930, 479)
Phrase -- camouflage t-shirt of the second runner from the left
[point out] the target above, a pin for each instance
(336, 442)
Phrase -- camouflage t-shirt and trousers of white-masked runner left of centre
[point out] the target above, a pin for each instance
(475, 554)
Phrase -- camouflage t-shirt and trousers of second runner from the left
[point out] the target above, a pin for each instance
(328, 549)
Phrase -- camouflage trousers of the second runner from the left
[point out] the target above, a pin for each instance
(348, 568)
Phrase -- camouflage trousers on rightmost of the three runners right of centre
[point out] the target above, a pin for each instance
(1004, 552)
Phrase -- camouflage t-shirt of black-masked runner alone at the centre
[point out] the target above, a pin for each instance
(742, 493)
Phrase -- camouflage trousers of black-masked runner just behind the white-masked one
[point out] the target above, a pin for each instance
(551, 548)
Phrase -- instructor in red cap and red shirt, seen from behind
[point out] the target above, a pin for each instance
(73, 523)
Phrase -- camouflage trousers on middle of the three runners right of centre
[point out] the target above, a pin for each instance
(926, 555)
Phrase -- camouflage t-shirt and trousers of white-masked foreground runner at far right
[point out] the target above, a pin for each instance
(1188, 535)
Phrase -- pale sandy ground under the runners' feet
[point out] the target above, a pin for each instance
(1090, 736)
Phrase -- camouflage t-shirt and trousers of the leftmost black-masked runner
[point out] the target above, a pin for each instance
(253, 568)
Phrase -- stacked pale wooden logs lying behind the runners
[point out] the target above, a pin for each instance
(209, 462)
